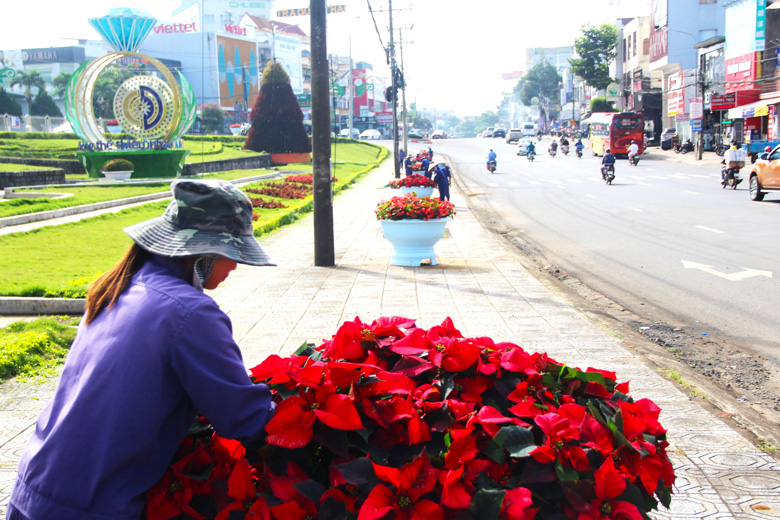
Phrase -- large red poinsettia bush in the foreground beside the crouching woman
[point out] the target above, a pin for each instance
(390, 421)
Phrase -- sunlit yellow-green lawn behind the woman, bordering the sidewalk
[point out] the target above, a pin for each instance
(62, 260)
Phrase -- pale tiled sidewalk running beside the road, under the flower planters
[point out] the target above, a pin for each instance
(482, 286)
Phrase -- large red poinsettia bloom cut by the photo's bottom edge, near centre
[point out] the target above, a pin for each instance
(410, 482)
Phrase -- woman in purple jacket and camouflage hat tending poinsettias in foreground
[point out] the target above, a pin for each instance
(152, 351)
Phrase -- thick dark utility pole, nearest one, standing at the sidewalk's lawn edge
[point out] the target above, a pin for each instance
(324, 251)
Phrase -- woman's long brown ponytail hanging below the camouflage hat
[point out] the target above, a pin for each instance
(107, 289)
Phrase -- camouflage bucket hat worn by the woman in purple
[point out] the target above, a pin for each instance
(204, 217)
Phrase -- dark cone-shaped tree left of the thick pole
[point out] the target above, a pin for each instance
(277, 120)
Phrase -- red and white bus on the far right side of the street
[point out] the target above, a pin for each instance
(614, 131)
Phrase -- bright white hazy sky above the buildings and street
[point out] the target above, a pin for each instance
(454, 52)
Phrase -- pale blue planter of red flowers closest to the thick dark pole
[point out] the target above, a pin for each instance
(413, 225)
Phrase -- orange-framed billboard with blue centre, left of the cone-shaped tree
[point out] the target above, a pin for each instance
(238, 75)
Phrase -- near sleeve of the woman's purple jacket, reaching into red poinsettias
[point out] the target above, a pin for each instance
(209, 365)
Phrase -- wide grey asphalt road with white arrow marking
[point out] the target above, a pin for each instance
(664, 240)
